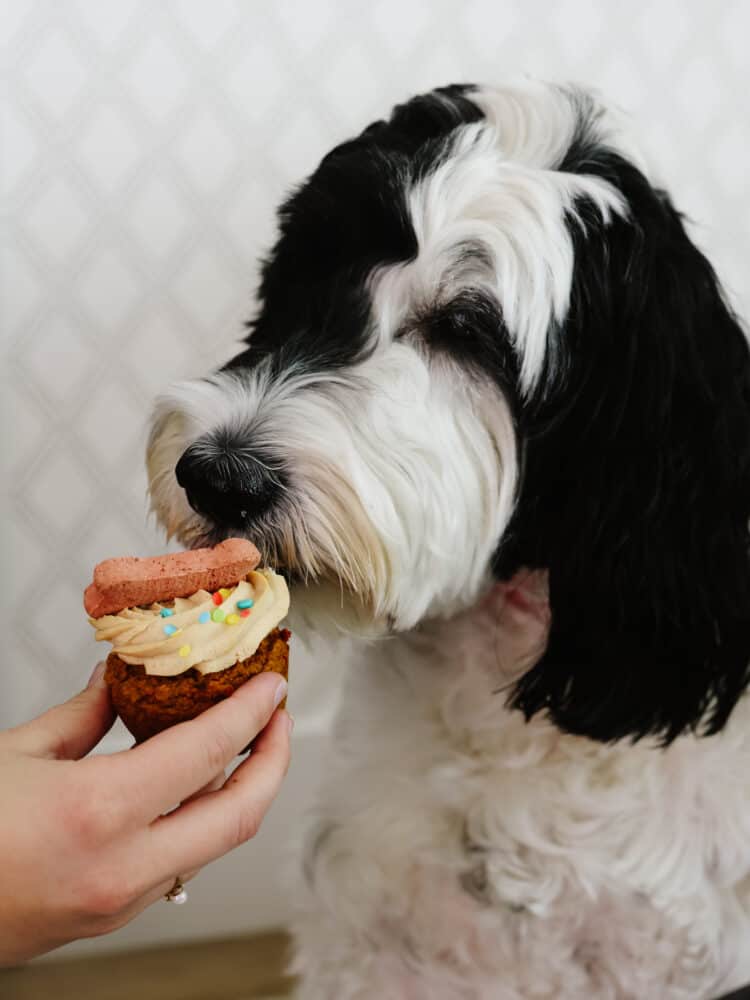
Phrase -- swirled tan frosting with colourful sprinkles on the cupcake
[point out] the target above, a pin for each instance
(137, 634)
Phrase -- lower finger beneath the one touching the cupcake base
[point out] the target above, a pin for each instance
(209, 827)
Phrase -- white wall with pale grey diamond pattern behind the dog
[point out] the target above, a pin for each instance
(145, 146)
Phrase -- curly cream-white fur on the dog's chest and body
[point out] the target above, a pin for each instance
(460, 852)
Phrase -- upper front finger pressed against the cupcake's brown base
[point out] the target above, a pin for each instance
(170, 767)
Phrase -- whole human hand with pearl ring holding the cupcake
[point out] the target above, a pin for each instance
(86, 845)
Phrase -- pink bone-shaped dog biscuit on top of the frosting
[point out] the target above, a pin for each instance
(130, 581)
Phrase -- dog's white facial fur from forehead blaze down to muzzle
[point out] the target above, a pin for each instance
(402, 465)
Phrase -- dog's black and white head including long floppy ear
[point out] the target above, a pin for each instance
(485, 342)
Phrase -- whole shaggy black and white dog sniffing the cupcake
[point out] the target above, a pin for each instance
(493, 416)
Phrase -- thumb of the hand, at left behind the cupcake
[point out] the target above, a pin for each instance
(69, 731)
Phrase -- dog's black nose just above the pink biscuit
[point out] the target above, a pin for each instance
(229, 485)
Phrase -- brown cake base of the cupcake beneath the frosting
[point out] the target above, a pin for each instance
(147, 703)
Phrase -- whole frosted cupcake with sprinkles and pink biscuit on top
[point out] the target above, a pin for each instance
(186, 630)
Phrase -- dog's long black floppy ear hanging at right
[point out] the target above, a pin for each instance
(636, 492)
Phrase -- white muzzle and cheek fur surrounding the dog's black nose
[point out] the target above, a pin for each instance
(401, 477)
